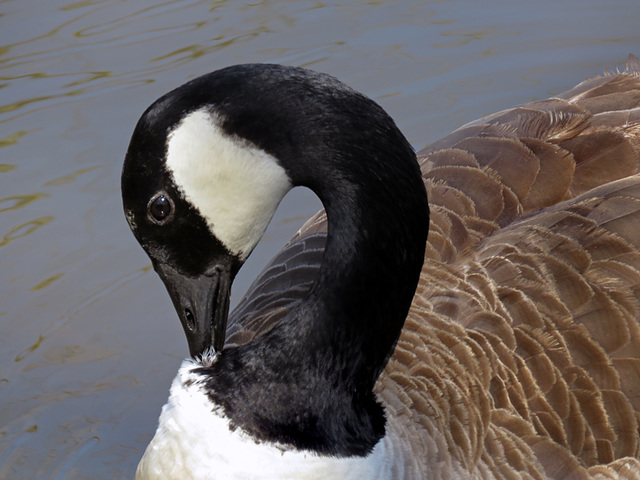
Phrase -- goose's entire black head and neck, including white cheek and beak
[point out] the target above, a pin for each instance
(207, 166)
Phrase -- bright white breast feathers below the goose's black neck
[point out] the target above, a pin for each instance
(193, 441)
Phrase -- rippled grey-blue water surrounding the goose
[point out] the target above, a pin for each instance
(88, 338)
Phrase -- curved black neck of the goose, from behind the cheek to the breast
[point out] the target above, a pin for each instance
(308, 382)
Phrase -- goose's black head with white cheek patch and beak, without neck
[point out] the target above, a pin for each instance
(198, 197)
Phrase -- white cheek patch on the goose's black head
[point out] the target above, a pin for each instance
(235, 186)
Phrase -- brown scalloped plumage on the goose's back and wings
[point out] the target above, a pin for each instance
(520, 357)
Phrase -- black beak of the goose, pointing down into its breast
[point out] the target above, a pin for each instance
(202, 304)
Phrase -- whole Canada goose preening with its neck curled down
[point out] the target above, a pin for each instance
(508, 347)
